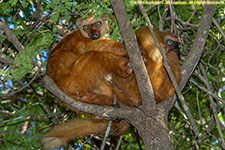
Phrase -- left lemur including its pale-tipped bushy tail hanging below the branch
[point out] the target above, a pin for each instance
(81, 65)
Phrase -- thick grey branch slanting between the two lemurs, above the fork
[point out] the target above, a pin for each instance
(142, 77)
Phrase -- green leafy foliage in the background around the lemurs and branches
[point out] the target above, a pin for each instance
(29, 113)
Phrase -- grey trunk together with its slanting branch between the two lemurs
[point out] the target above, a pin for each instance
(153, 130)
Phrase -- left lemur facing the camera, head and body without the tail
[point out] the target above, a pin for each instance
(81, 66)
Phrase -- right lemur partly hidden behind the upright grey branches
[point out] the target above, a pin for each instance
(161, 83)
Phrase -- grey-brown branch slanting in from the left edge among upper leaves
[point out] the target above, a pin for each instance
(11, 37)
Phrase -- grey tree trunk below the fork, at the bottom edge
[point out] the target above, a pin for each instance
(154, 132)
